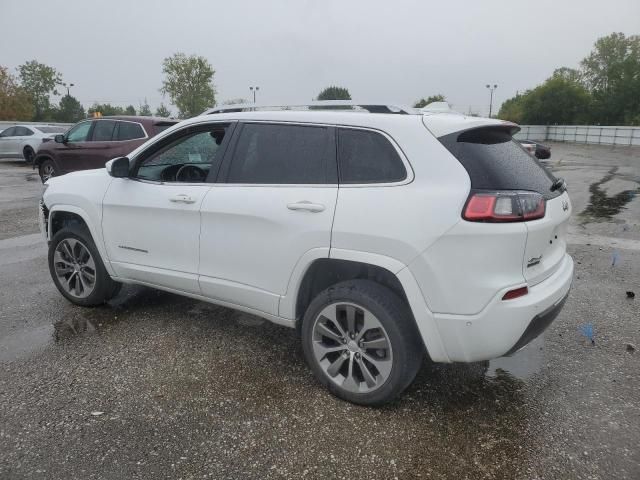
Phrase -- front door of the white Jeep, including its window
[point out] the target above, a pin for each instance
(151, 221)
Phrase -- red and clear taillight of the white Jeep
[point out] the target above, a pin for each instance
(504, 207)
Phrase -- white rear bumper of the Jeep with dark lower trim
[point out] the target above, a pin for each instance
(504, 327)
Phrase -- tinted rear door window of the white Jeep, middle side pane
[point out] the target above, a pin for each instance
(282, 154)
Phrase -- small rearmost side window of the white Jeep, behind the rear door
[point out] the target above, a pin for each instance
(368, 157)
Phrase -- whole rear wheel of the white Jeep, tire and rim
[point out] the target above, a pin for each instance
(399, 350)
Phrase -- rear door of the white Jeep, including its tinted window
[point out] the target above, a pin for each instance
(274, 202)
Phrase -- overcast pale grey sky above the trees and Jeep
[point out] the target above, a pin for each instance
(381, 51)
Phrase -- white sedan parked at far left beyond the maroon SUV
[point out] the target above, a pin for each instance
(22, 141)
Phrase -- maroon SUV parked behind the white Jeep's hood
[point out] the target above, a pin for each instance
(92, 143)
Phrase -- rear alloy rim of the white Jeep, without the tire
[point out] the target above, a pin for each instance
(352, 347)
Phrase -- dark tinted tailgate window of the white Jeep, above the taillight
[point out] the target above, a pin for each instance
(494, 161)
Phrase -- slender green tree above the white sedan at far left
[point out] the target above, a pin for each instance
(39, 81)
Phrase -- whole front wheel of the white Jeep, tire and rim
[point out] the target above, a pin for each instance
(73, 261)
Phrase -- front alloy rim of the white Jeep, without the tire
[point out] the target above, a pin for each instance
(75, 267)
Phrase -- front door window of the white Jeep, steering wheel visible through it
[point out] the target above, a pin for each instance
(186, 157)
